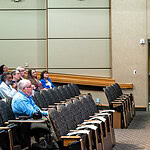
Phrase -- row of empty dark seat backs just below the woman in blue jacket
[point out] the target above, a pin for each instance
(56, 95)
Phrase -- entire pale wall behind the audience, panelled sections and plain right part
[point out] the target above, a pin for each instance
(23, 39)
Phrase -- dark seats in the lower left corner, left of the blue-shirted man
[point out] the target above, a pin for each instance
(10, 133)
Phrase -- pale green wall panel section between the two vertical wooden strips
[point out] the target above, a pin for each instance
(79, 37)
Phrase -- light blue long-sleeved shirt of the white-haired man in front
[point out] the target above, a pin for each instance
(23, 105)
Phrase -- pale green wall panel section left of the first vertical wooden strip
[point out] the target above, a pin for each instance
(23, 33)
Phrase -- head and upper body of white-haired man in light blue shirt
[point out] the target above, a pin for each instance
(22, 102)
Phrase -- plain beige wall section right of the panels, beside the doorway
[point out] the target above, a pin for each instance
(128, 27)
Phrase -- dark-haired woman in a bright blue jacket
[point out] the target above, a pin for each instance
(45, 80)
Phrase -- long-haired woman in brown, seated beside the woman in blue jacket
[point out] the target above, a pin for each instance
(32, 76)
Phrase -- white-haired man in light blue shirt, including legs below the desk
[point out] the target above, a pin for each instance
(23, 105)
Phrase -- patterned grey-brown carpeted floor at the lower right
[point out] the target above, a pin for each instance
(136, 136)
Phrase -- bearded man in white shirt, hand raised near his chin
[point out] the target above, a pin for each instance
(6, 90)
